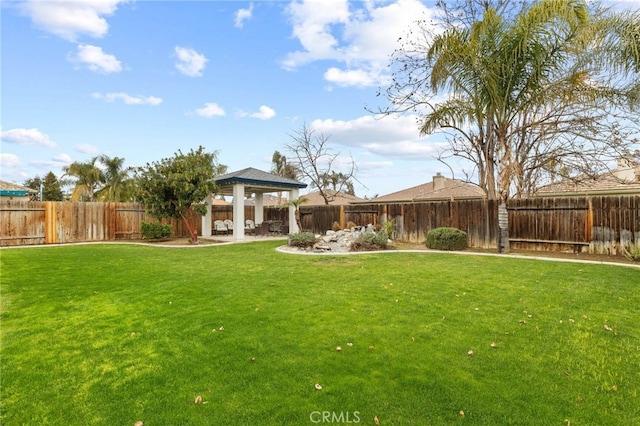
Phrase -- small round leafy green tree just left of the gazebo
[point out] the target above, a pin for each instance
(176, 187)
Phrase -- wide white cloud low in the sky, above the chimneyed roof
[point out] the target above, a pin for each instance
(388, 137)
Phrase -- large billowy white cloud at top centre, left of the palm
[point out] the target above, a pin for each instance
(361, 36)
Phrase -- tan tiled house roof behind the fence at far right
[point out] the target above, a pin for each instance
(624, 180)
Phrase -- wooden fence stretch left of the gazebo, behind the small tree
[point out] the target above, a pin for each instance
(35, 222)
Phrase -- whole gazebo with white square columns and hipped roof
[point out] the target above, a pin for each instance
(245, 183)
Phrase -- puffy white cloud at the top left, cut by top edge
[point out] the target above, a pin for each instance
(70, 19)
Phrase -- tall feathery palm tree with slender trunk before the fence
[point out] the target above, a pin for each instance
(520, 94)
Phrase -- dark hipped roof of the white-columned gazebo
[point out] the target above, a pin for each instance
(255, 181)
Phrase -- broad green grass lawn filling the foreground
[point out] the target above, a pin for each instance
(114, 334)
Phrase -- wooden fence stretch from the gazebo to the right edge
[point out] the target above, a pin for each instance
(570, 224)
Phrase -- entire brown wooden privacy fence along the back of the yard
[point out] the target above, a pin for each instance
(583, 224)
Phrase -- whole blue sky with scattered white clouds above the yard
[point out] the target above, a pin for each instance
(144, 79)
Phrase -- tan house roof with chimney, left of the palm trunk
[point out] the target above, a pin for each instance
(441, 188)
